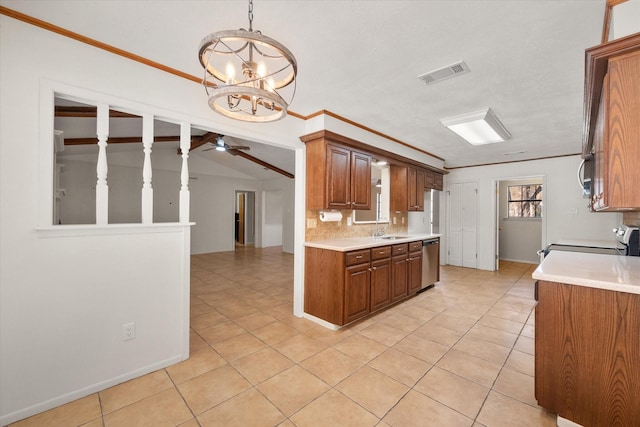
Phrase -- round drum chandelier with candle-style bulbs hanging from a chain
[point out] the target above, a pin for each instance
(245, 72)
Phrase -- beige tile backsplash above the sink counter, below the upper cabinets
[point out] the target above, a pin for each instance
(338, 230)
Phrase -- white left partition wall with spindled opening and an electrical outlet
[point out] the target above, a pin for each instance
(64, 298)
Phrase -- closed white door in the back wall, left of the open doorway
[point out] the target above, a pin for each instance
(463, 202)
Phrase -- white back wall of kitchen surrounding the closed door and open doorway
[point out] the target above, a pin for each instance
(562, 195)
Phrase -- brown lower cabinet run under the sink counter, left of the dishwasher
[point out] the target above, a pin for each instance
(341, 287)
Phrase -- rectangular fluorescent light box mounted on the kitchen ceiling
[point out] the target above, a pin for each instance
(478, 127)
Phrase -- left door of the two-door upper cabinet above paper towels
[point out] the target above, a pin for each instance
(338, 179)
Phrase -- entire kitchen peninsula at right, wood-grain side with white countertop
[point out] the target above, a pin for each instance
(587, 340)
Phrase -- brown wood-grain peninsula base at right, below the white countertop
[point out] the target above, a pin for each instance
(587, 354)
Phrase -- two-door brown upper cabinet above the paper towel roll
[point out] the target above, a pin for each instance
(338, 177)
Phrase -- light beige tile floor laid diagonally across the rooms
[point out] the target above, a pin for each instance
(460, 354)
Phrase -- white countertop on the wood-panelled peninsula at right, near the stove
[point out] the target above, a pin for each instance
(611, 272)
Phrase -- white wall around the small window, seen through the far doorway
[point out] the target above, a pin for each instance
(520, 238)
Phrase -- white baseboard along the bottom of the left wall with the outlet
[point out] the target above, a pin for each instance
(83, 392)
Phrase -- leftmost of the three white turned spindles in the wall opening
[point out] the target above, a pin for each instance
(102, 189)
